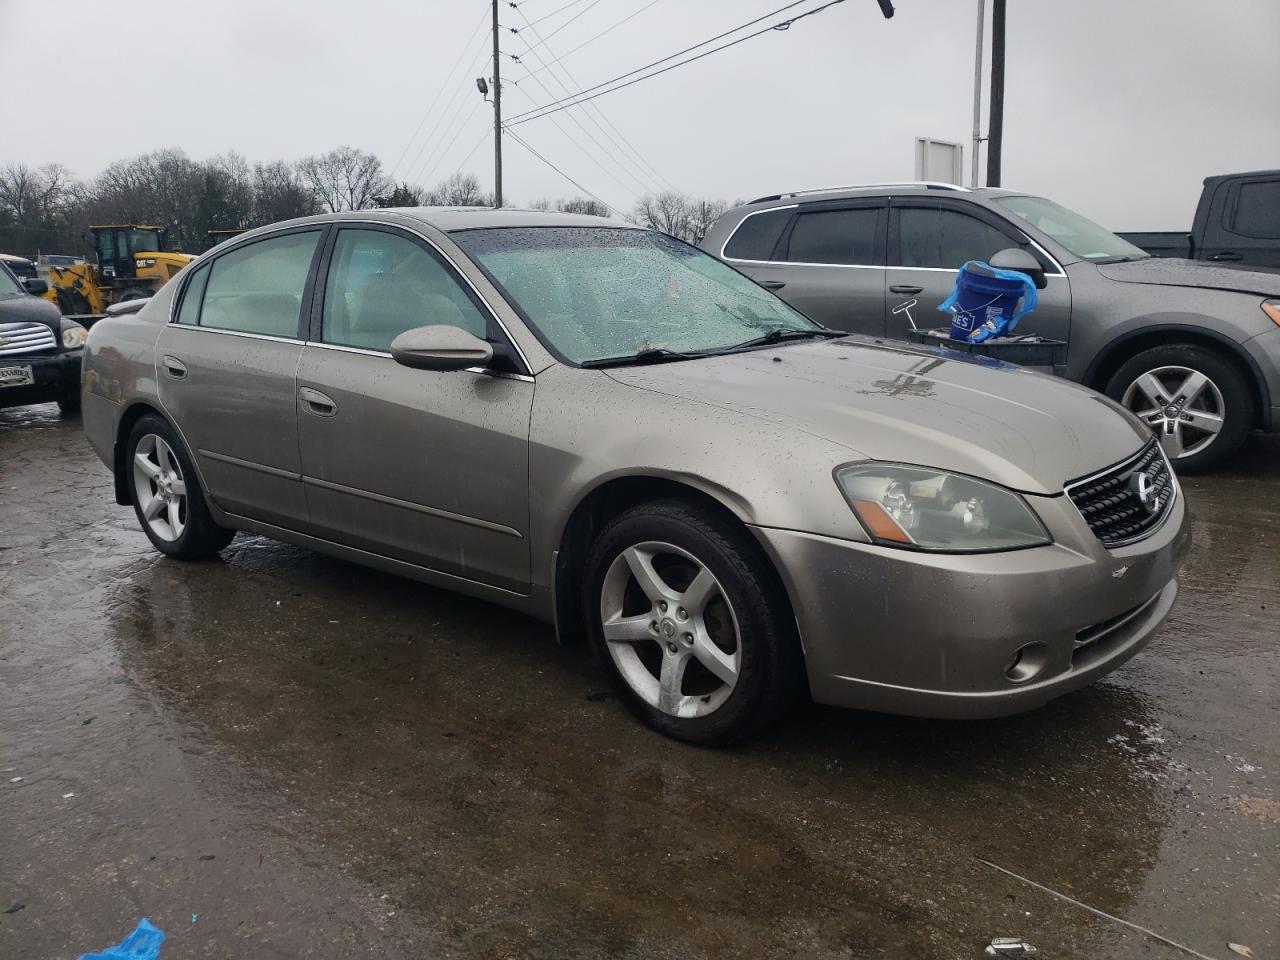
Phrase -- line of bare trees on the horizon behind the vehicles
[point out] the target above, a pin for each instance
(47, 211)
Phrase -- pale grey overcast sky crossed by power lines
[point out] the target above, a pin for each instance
(1117, 108)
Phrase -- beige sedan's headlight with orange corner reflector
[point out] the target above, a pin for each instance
(931, 510)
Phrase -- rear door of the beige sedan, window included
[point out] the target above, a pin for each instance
(226, 371)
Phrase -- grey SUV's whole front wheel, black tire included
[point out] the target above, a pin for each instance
(1219, 397)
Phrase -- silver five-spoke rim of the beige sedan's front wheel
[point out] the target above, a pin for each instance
(671, 629)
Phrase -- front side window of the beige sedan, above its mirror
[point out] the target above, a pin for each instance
(382, 285)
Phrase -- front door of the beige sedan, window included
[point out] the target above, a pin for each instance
(428, 468)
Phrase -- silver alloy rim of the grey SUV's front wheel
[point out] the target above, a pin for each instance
(1182, 406)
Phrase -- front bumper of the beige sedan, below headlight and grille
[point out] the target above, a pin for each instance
(931, 636)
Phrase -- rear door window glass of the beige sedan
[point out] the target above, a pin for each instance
(259, 287)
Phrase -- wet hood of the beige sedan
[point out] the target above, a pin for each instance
(1025, 431)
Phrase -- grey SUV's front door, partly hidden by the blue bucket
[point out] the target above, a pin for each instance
(931, 240)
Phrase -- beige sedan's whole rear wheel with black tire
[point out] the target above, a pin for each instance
(166, 492)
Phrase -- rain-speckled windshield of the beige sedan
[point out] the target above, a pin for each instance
(600, 292)
